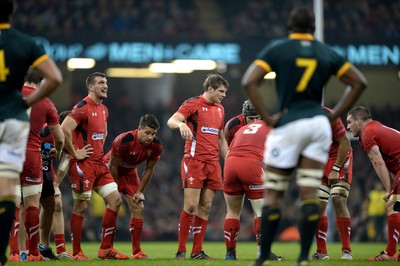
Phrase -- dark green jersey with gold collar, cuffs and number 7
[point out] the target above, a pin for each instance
(302, 66)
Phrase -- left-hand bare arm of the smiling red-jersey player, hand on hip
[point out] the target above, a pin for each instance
(68, 125)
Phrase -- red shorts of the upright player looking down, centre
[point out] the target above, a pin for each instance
(199, 174)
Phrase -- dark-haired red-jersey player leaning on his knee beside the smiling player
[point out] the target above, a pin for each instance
(129, 150)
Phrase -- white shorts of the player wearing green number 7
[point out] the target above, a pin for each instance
(309, 137)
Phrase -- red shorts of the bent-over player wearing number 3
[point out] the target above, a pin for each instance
(243, 175)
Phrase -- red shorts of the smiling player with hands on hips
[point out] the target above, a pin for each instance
(88, 174)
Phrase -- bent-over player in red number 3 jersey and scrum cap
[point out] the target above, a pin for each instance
(243, 172)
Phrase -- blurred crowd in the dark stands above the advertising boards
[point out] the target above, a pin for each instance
(344, 21)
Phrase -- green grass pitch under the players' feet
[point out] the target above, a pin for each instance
(162, 253)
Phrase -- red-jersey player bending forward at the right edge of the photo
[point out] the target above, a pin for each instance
(382, 145)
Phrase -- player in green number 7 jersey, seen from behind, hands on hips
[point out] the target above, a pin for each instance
(301, 136)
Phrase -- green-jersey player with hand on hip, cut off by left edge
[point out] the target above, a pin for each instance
(17, 53)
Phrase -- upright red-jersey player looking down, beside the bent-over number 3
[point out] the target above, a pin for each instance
(200, 121)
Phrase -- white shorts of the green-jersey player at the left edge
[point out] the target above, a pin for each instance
(13, 138)
